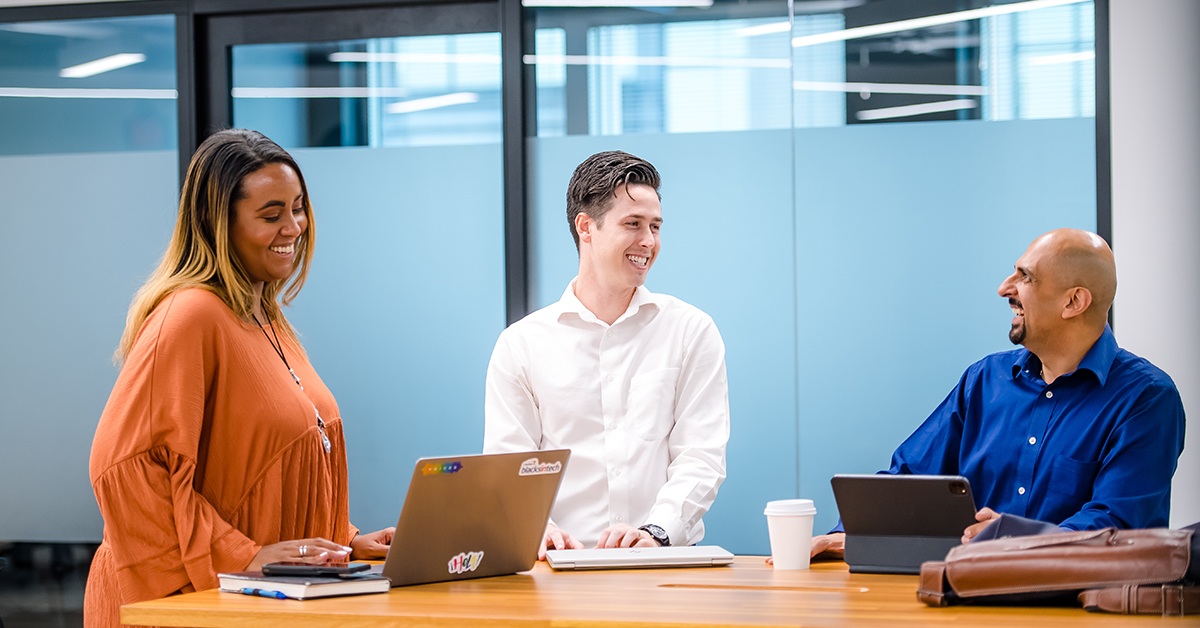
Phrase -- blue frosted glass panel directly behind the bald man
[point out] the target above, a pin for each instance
(904, 235)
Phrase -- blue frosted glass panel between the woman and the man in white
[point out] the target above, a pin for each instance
(404, 304)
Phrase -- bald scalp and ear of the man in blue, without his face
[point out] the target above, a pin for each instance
(1079, 259)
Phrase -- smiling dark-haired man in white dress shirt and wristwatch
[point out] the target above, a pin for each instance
(632, 382)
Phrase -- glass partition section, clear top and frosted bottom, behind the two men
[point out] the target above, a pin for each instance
(845, 186)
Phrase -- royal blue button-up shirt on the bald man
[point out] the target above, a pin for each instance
(1096, 448)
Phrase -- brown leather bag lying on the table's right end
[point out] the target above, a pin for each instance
(1111, 570)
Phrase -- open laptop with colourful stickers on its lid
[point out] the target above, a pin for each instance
(473, 517)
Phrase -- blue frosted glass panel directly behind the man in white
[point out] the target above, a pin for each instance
(728, 250)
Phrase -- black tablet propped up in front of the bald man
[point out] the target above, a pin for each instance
(896, 523)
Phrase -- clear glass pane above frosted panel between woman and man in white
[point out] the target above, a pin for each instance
(398, 92)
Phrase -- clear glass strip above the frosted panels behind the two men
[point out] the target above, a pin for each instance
(614, 71)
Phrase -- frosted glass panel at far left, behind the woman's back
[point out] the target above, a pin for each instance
(80, 236)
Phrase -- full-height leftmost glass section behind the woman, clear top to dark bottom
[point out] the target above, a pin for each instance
(88, 187)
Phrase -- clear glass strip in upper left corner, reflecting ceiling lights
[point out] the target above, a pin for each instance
(88, 86)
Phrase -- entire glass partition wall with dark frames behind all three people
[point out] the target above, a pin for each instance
(845, 184)
